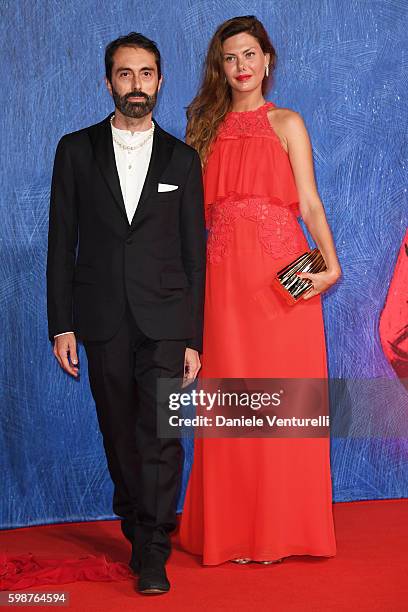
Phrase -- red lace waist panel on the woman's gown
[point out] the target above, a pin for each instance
(278, 231)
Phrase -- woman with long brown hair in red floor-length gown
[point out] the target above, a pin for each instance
(258, 499)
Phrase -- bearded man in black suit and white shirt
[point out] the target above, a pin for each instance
(126, 276)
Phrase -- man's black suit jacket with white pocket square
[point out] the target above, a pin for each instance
(96, 259)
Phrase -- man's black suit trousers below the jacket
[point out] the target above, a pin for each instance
(146, 470)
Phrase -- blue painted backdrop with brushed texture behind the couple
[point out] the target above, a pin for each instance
(343, 65)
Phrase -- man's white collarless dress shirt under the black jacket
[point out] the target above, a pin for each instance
(132, 165)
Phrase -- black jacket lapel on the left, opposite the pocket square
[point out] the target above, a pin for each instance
(101, 138)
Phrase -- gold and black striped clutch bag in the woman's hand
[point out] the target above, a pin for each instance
(290, 286)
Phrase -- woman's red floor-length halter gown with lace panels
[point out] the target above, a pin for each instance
(260, 498)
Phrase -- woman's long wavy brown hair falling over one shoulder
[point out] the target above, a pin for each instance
(213, 101)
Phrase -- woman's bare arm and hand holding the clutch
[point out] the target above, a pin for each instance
(310, 204)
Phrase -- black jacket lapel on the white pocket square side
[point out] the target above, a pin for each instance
(161, 153)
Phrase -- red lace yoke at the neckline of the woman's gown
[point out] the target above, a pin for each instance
(247, 124)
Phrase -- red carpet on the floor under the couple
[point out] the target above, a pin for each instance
(369, 573)
